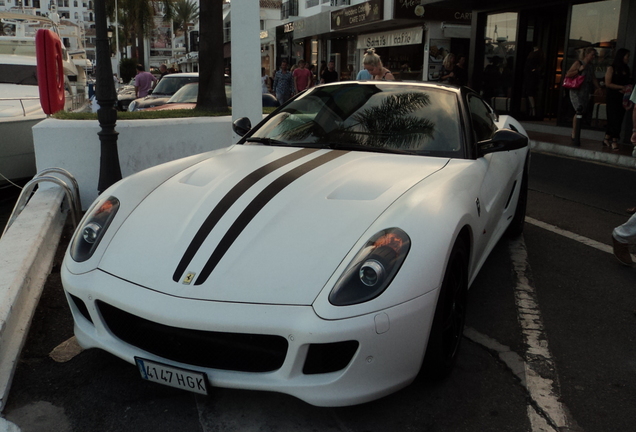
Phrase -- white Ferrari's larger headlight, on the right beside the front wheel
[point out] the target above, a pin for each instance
(372, 269)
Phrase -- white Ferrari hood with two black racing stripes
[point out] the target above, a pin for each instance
(258, 224)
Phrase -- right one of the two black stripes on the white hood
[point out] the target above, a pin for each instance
(257, 204)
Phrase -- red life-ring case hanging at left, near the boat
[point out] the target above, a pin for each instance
(48, 50)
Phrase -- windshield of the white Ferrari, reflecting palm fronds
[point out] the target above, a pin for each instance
(373, 117)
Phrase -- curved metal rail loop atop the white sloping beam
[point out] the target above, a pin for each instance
(71, 194)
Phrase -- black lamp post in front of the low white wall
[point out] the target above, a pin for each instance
(109, 169)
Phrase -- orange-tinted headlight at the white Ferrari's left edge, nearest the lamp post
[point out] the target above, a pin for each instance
(88, 235)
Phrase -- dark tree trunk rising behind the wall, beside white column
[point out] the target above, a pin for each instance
(211, 95)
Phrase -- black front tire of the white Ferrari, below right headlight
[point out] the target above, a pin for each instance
(450, 316)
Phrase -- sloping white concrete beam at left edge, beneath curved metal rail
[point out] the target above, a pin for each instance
(26, 256)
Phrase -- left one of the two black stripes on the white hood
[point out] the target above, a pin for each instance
(227, 201)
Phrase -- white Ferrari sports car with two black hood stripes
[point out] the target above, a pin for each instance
(327, 255)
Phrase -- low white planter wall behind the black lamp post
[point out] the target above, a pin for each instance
(75, 146)
